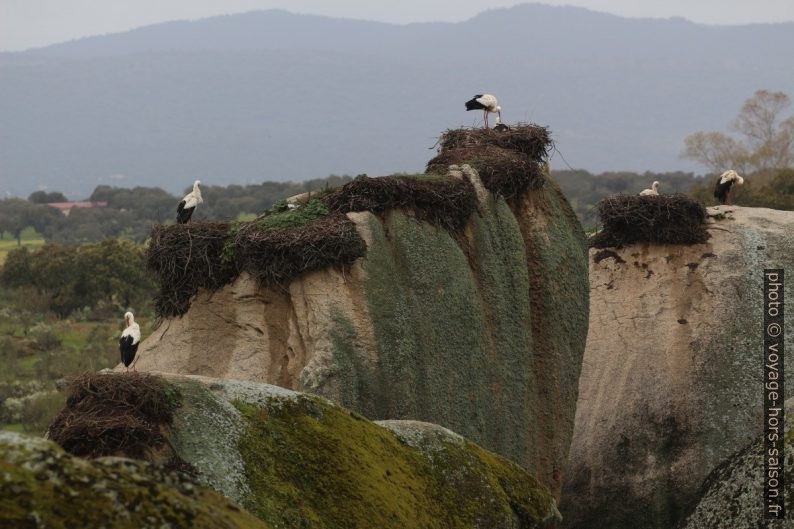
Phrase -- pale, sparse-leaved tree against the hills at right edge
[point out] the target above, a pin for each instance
(765, 145)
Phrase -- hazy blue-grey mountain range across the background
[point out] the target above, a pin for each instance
(276, 96)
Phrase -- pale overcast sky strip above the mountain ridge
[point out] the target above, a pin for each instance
(33, 23)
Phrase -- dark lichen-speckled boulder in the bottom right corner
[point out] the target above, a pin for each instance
(731, 496)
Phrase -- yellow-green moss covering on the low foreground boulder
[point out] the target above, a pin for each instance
(313, 465)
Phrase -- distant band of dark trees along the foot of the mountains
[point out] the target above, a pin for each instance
(130, 213)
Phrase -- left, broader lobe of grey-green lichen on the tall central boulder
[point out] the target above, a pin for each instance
(422, 298)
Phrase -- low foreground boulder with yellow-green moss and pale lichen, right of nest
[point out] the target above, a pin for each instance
(297, 460)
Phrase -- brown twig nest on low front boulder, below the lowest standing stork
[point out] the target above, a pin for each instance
(115, 414)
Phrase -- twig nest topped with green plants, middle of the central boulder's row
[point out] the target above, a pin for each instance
(275, 256)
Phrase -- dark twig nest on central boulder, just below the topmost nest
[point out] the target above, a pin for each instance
(445, 202)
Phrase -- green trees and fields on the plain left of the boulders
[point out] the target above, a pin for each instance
(61, 302)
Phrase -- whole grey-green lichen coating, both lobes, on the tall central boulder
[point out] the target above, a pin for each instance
(453, 329)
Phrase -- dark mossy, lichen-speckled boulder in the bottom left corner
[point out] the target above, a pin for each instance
(44, 487)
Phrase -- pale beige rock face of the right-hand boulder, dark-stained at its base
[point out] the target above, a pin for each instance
(671, 383)
